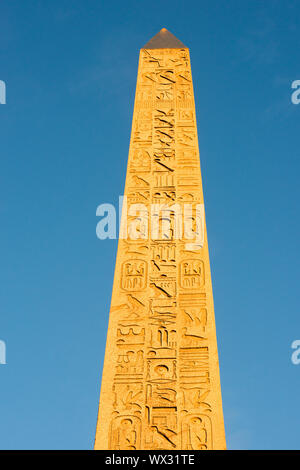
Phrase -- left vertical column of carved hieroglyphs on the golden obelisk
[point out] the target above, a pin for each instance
(121, 409)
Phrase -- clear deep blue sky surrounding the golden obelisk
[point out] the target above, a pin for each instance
(70, 71)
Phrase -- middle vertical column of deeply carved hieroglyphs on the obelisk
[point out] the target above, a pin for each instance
(161, 422)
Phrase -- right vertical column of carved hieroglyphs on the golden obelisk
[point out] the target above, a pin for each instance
(199, 401)
